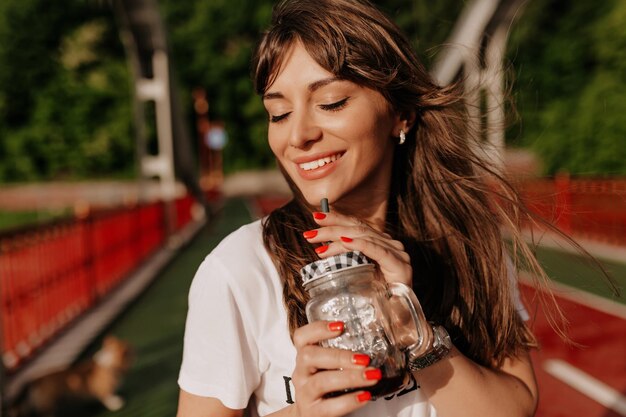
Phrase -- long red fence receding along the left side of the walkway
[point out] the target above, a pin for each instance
(50, 274)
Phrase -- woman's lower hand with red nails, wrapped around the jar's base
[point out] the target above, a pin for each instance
(320, 371)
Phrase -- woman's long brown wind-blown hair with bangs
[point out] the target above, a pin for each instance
(441, 199)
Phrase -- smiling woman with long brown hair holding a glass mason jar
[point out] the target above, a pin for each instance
(355, 118)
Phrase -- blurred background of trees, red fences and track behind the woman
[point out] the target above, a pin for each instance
(131, 141)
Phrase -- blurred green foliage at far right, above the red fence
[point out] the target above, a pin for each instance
(570, 84)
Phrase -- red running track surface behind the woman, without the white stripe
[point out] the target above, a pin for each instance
(601, 354)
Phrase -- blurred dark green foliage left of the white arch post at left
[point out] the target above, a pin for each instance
(64, 92)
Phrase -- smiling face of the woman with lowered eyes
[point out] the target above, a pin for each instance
(334, 138)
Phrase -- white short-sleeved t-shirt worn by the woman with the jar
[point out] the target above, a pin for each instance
(237, 346)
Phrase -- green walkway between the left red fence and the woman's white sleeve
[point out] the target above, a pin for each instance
(154, 325)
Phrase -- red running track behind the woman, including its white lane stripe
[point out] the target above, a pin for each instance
(588, 380)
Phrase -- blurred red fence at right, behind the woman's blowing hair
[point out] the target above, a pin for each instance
(588, 208)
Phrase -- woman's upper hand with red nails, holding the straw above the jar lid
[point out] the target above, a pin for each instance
(349, 233)
